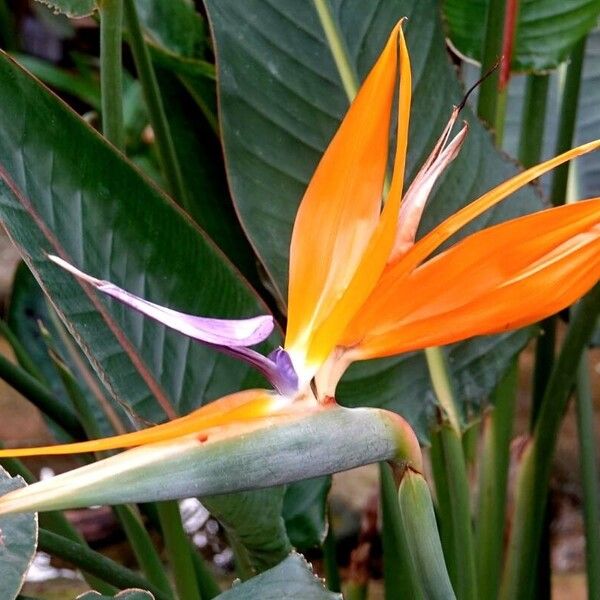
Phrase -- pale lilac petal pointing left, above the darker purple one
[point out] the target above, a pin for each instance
(217, 332)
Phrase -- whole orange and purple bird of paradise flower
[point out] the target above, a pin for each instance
(360, 286)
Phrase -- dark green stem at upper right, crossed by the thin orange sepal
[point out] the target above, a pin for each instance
(568, 117)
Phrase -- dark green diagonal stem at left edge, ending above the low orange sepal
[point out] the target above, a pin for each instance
(40, 397)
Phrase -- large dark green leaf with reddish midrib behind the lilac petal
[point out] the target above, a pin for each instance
(63, 189)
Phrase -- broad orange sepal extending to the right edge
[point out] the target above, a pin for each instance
(504, 277)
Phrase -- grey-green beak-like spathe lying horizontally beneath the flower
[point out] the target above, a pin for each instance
(327, 441)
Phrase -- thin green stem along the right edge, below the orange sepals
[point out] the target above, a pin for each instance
(589, 476)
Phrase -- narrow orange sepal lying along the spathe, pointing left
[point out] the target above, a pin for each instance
(240, 407)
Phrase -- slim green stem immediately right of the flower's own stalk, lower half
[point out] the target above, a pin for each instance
(460, 513)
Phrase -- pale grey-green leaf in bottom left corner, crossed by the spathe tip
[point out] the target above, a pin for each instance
(18, 540)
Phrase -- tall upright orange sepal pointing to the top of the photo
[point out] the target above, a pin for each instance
(340, 244)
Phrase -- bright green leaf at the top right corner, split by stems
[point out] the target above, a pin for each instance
(546, 32)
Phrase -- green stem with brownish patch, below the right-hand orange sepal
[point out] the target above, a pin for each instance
(493, 477)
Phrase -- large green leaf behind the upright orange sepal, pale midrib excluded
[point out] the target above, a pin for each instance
(281, 101)
